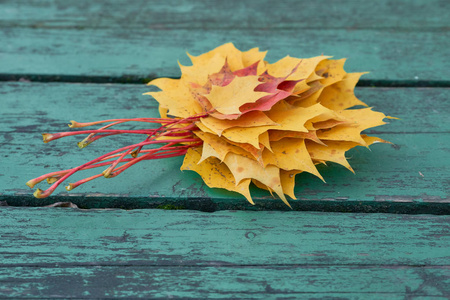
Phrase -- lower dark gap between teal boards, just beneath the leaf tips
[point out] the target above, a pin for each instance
(211, 205)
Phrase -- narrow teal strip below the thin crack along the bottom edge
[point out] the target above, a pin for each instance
(235, 282)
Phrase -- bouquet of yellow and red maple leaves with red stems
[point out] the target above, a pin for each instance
(238, 119)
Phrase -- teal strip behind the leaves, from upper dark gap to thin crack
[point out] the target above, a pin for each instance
(34, 108)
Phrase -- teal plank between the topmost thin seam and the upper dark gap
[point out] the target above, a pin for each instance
(140, 53)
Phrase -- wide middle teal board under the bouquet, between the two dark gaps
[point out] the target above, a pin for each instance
(407, 177)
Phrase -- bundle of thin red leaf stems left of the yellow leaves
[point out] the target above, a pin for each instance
(175, 136)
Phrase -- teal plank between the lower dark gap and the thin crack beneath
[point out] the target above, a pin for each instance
(51, 237)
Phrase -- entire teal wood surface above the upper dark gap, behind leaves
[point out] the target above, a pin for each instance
(402, 40)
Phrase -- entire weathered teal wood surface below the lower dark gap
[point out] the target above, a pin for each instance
(53, 253)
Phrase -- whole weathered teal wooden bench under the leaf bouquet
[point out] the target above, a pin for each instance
(381, 233)
